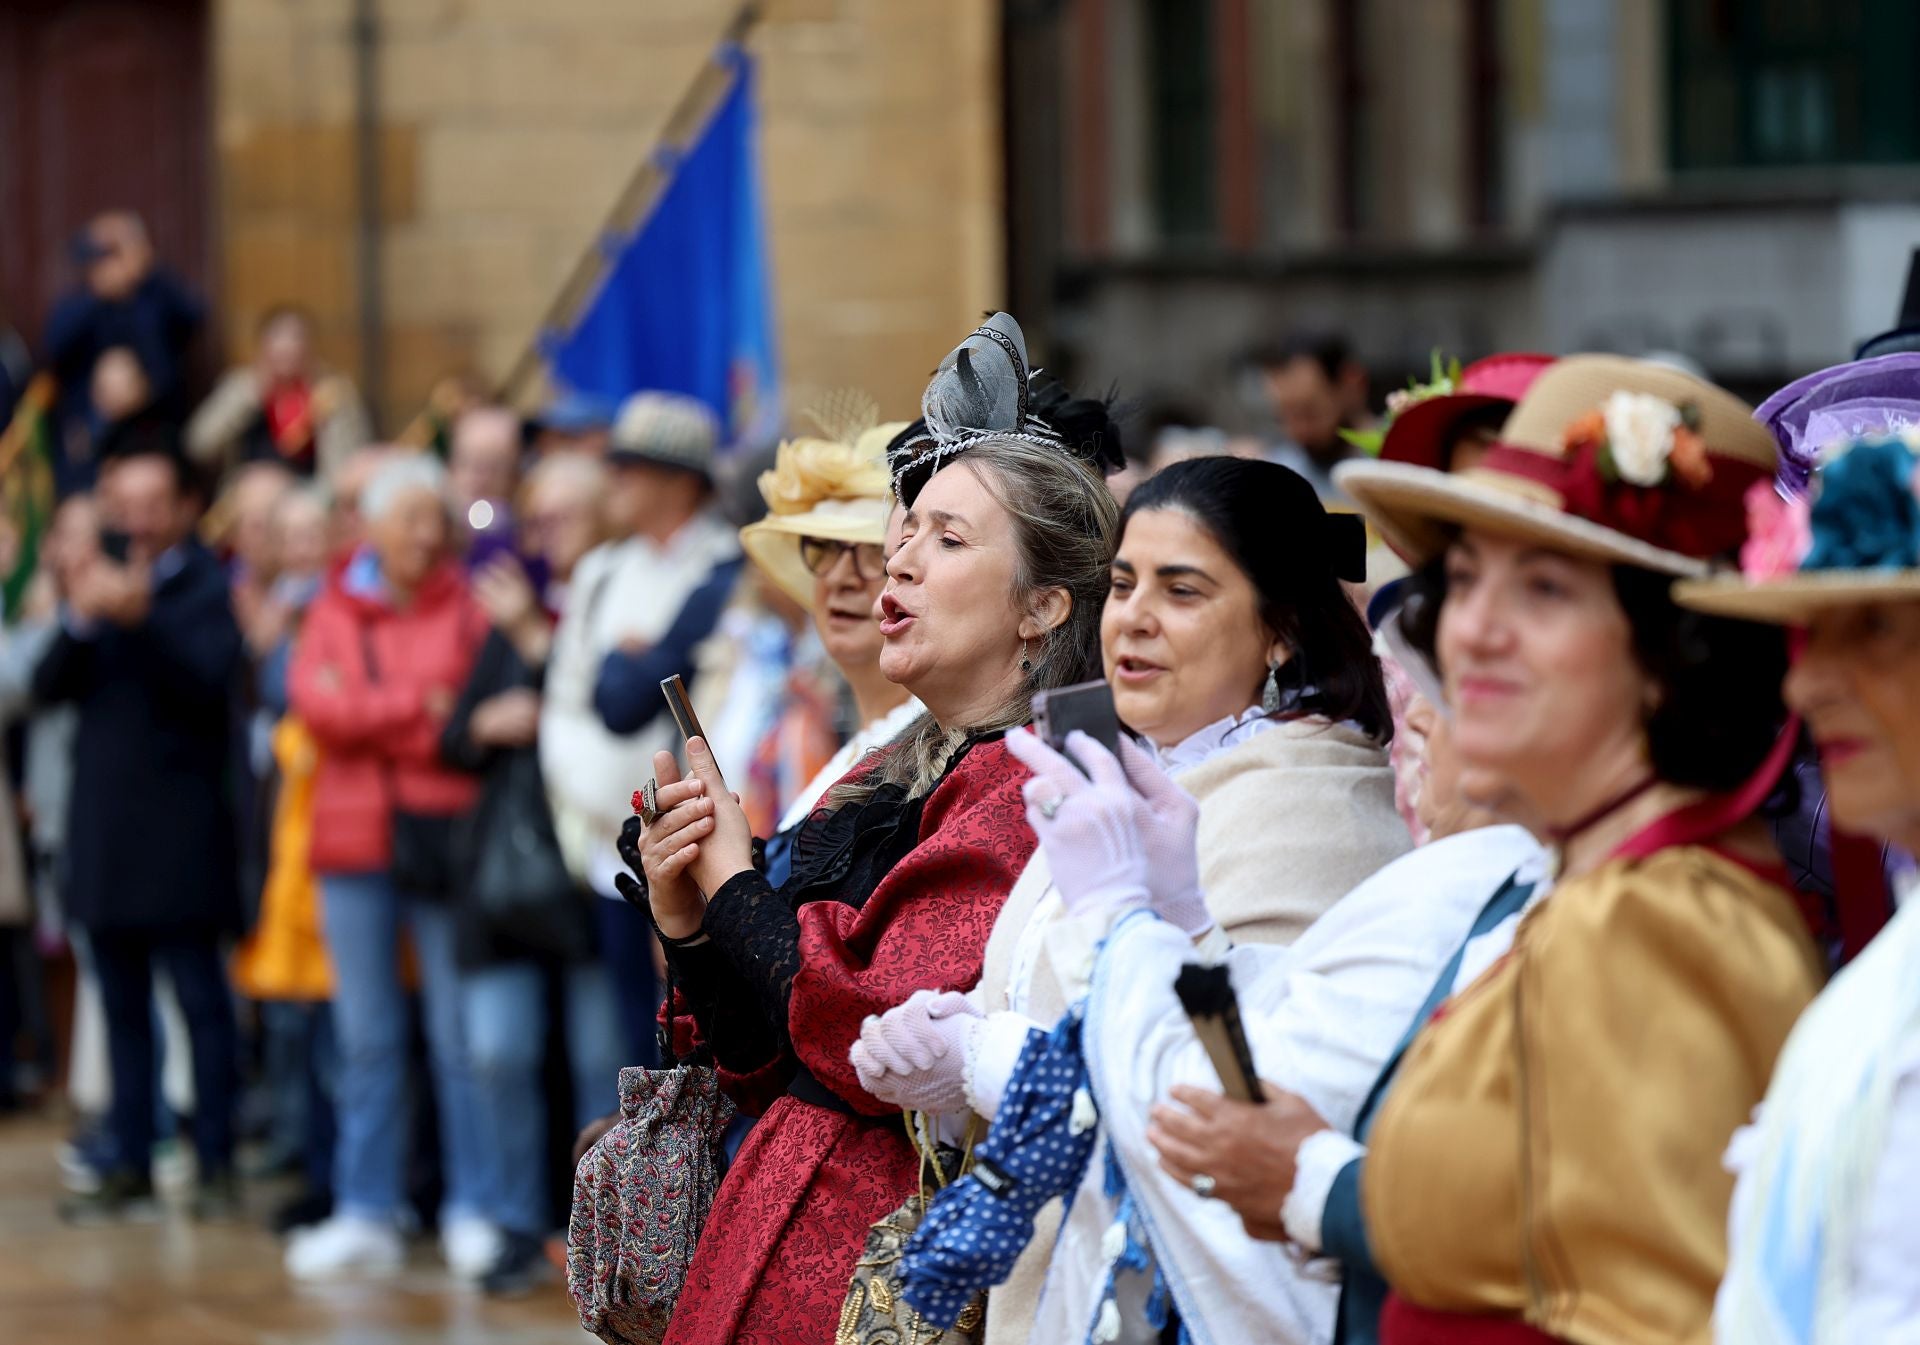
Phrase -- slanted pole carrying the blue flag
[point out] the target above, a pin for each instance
(631, 210)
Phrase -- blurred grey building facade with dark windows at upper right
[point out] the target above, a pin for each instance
(1731, 183)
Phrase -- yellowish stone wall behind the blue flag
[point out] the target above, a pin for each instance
(508, 128)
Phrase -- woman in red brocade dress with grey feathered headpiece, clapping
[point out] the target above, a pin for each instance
(994, 592)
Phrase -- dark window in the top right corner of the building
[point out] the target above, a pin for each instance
(1762, 83)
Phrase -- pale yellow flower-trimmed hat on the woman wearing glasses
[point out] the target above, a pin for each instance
(834, 488)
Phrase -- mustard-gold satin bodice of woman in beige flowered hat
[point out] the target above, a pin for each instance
(1552, 1148)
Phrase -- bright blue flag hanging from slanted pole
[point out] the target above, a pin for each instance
(686, 302)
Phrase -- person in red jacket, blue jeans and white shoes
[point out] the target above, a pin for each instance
(375, 674)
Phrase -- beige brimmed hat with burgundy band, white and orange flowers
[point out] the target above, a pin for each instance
(1604, 458)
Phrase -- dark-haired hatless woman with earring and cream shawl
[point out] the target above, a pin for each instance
(1237, 657)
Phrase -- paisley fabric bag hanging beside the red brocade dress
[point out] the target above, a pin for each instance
(640, 1200)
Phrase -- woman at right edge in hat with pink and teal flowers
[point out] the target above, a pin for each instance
(1825, 1239)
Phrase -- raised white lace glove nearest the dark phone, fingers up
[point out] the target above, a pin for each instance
(1088, 824)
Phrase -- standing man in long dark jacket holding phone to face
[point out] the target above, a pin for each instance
(151, 653)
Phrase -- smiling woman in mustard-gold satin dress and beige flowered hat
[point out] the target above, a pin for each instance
(1547, 1166)
